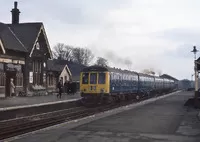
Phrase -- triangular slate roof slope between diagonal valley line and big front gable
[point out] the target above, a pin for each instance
(26, 32)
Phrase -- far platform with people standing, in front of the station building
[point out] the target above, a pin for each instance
(20, 102)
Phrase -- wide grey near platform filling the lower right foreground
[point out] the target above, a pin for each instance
(163, 120)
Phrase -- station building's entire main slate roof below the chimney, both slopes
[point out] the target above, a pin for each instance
(19, 37)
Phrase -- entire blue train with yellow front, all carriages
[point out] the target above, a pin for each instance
(100, 84)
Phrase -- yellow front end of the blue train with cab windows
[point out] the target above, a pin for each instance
(94, 83)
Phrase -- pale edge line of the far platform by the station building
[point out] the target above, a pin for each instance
(37, 105)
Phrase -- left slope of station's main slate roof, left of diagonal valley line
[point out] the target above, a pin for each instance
(9, 39)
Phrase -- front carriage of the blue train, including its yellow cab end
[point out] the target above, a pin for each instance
(98, 83)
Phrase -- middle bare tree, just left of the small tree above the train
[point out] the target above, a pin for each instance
(82, 55)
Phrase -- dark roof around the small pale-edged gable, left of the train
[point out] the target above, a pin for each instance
(58, 65)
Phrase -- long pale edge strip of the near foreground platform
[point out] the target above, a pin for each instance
(93, 117)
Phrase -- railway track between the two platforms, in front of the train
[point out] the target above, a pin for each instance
(14, 127)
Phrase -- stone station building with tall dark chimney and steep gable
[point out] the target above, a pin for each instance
(24, 51)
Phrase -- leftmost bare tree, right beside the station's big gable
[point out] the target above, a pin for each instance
(63, 51)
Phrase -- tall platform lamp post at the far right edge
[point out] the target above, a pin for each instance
(195, 75)
